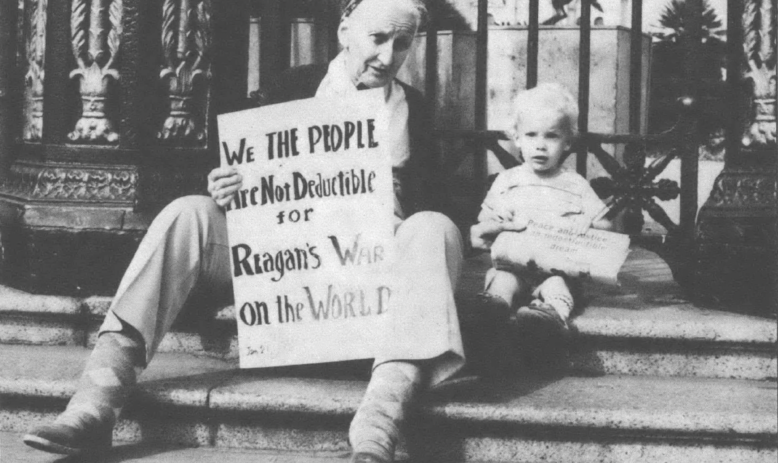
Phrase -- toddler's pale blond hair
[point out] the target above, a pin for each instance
(551, 97)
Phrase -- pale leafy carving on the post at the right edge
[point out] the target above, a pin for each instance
(760, 30)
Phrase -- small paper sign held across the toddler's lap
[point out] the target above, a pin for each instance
(550, 246)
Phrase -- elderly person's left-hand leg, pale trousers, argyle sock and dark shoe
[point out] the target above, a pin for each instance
(185, 247)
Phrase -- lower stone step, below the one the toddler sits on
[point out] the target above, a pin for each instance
(207, 402)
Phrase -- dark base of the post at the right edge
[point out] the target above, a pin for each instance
(736, 238)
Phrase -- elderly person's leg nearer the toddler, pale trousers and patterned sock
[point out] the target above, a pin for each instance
(422, 344)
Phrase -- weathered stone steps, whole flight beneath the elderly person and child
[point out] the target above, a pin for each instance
(652, 378)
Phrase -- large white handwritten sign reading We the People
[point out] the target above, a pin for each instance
(311, 234)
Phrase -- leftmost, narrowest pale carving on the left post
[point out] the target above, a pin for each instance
(35, 51)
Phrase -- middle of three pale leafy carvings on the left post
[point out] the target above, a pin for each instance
(96, 29)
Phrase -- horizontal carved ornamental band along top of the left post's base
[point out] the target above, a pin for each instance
(33, 181)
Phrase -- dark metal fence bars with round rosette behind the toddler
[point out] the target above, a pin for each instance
(632, 186)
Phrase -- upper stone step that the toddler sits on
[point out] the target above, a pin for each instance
(645, 327)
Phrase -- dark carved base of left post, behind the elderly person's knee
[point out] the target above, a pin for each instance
(72, 228)
